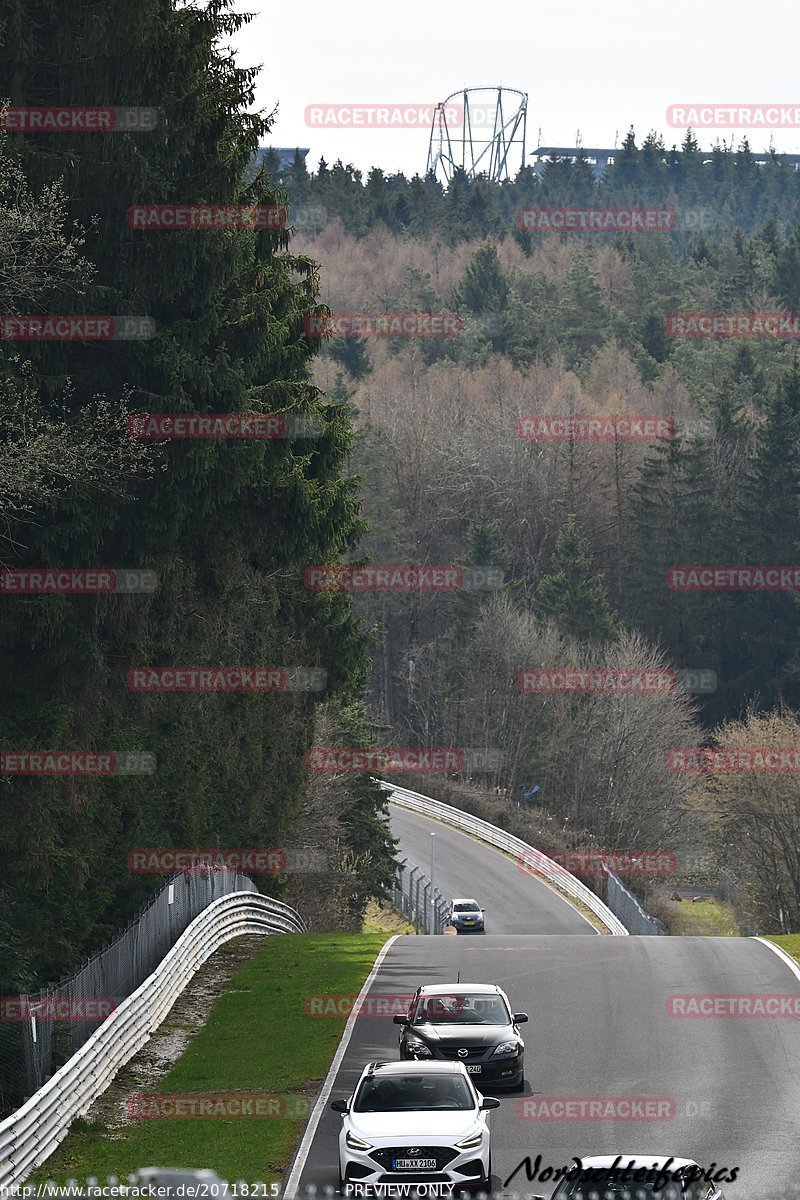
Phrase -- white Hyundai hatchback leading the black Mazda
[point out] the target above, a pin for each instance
(419, 1123)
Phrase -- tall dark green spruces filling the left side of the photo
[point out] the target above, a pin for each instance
(228, 527)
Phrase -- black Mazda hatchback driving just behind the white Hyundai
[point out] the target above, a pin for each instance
(467, 1023)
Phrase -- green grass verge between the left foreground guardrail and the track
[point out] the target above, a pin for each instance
(257, 1040)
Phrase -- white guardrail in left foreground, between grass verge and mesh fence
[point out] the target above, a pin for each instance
(31, 1135)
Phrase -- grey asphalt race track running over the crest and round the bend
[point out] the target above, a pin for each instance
(600, 1028)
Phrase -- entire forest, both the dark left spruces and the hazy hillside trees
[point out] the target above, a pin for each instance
(417, 461)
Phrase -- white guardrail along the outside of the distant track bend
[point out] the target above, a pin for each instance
(528, 859)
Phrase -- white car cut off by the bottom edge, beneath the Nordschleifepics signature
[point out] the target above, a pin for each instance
(615, 1175)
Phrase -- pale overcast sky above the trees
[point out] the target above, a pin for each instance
(591, 68)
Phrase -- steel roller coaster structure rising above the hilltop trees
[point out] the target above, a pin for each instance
(480, 131)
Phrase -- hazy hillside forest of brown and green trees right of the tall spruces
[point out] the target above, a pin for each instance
(592, 536)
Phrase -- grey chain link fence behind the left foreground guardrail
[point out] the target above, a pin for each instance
(43, 1031)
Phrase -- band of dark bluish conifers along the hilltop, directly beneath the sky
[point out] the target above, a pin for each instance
(713, 193)
